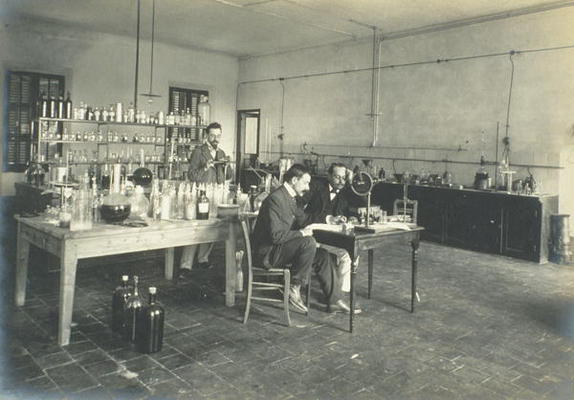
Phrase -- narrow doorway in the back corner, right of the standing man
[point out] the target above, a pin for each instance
(247, 150)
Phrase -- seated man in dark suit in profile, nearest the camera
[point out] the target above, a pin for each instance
(279, 239)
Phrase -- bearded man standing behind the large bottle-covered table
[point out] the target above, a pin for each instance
(207, 165)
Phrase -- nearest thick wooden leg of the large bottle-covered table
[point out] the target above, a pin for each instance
(68, 265)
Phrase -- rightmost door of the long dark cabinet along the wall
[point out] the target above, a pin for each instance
(522, 229)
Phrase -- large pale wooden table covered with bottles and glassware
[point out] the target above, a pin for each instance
(106, 239)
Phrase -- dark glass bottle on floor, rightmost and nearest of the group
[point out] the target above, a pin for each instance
(150, 326)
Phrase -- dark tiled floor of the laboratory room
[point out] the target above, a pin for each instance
(487, 327)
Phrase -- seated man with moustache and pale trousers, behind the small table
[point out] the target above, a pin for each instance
(333, 198)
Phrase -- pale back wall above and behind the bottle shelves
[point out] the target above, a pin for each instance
(100, 70)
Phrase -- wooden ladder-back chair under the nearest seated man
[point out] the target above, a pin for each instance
(261, 280)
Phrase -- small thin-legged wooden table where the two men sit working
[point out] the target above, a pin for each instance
(356, 242)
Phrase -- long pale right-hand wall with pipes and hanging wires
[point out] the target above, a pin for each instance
(432, 111)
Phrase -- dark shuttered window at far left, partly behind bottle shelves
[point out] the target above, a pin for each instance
(23, 89)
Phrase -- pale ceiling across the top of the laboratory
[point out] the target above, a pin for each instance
(253, 27)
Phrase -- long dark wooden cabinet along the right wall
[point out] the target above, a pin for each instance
(491, 222)
